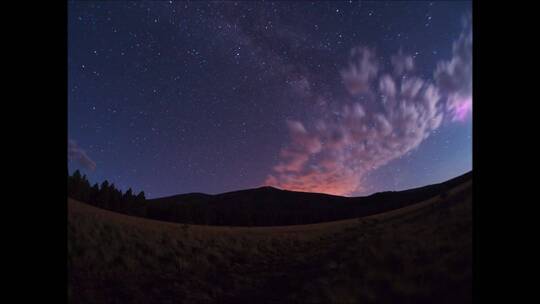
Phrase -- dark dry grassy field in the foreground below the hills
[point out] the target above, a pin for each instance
(418, 254)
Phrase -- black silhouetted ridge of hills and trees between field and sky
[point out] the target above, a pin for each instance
(265, 206)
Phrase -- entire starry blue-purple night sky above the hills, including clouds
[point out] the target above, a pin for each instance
(346, 98)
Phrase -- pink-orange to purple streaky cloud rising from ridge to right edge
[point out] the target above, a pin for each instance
(386, 115)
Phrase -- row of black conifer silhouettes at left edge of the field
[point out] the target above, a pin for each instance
(106, 195)
